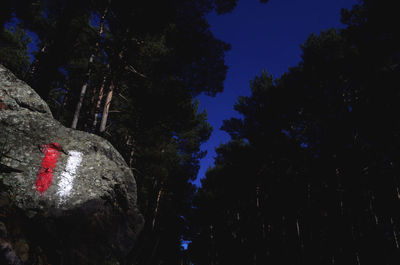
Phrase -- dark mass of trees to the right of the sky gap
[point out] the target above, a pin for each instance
(312, 173)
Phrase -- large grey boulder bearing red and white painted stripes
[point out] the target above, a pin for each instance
(87, 214)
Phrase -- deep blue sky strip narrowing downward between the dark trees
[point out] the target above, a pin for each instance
(263, 36)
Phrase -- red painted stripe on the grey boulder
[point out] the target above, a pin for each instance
(45, 175)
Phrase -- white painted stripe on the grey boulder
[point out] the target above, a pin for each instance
(68, 175)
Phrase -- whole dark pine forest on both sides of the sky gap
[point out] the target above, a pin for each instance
(310, 175)
